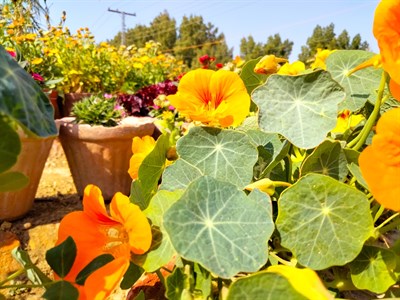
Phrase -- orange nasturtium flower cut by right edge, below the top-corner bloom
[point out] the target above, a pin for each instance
(380, 162)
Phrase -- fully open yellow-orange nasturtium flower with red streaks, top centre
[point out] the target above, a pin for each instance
(215, 98)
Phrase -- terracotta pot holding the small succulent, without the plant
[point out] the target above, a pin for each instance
(100, 155)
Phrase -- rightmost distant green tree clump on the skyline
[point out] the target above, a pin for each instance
(325, 38)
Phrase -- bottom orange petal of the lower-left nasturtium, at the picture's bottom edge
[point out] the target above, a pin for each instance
(102, 282)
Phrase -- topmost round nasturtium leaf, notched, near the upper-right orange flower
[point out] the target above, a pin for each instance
(359, 86)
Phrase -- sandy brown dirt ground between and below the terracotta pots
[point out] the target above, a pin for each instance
(37, 230)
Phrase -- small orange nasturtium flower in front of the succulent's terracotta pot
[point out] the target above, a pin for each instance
(141, 147)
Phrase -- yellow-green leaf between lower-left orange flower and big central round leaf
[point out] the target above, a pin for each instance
(161, 250)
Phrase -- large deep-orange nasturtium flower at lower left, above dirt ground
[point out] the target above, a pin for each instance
(95, 232)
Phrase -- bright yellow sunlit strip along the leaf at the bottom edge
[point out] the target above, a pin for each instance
(305, 281)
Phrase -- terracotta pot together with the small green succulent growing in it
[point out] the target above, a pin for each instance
(97, 142)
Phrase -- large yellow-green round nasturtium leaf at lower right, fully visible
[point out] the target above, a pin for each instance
(323, 222)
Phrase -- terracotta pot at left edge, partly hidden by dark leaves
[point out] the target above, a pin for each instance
(31, 161)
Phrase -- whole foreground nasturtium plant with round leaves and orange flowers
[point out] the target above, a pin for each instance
(296, 200)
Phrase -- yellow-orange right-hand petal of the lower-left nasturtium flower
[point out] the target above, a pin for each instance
(134, 221)
